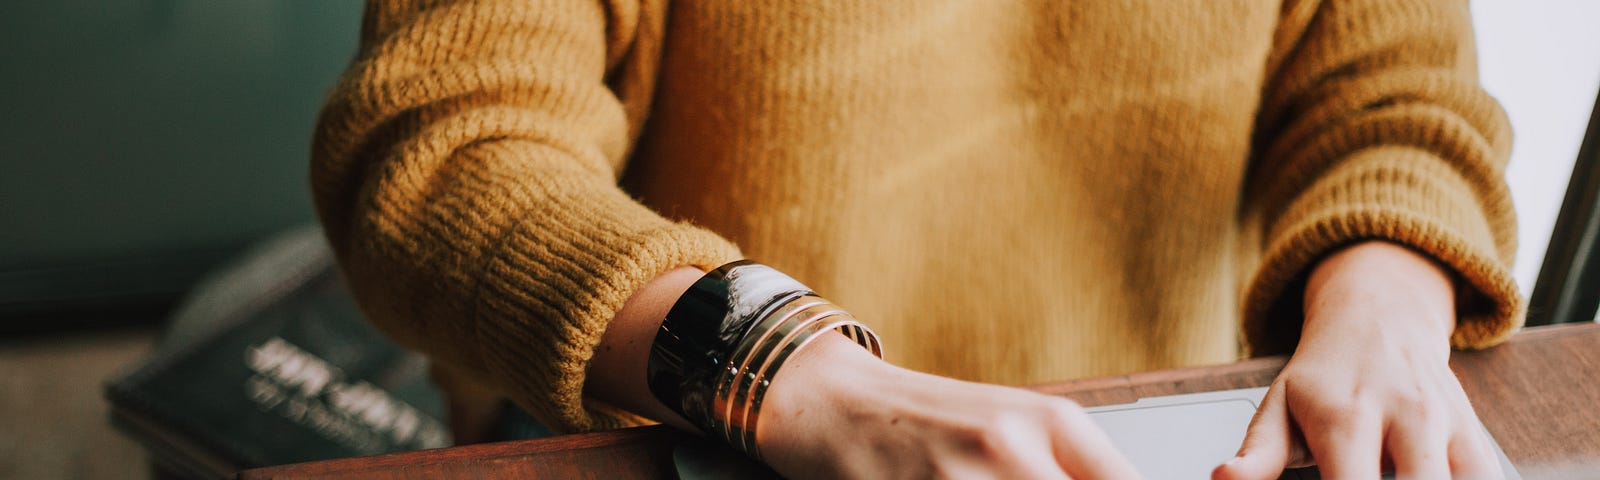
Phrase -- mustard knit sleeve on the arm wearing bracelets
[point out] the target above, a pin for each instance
(466, 172)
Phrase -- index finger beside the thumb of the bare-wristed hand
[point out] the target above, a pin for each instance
(1345, 441)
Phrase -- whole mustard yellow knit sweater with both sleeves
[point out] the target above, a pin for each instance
(1007, 191)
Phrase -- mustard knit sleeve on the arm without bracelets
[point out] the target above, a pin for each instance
(1374, 126)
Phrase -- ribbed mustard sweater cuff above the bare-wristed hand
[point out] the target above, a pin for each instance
(1404, 196)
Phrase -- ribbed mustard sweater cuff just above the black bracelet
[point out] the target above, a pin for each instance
(556, 294)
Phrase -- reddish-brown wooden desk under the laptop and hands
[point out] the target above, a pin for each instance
(1538, 394)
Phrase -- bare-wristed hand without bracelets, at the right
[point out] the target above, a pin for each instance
(1369, 388)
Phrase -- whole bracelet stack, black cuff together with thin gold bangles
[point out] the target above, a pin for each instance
(726, 340)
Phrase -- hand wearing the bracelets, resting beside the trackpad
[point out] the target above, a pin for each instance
(838, 412)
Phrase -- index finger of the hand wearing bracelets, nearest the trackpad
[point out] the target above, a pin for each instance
(1084, 450)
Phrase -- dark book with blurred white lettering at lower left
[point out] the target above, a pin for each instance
(270, 364)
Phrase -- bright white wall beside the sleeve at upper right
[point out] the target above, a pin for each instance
(1542, 60)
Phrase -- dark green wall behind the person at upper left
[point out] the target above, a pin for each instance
(151, 138)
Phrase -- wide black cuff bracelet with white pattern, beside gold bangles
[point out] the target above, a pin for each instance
(703, 329)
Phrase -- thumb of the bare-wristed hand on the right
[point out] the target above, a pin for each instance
(1270, 442)
